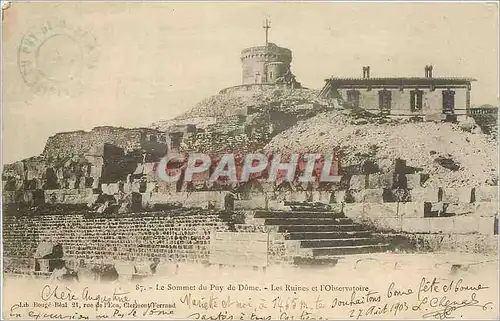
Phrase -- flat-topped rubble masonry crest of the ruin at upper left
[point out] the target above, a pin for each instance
(79, 142)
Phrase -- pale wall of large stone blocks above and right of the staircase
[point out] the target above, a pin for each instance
(464, 219)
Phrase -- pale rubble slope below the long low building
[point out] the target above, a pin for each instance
(450, 156)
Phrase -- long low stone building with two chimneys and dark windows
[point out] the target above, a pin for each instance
(439, 98)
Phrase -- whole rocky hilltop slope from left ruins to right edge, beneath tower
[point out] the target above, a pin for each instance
(280, 119)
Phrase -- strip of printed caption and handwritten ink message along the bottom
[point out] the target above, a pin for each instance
(429, 298)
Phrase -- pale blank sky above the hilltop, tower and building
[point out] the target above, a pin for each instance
(156, 60)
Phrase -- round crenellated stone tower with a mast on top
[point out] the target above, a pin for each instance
(268, 64)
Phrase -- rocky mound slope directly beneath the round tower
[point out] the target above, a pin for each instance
(238, 120)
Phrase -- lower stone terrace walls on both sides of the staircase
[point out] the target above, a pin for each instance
(470, 223)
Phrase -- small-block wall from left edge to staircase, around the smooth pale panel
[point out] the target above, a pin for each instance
(138, 237)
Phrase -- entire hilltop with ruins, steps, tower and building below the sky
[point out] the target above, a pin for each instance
(96, 192)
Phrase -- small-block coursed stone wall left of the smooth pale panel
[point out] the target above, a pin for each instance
(184, 237)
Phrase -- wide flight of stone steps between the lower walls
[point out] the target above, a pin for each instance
(323, 233)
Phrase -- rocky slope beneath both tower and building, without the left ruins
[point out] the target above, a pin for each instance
(287, 120)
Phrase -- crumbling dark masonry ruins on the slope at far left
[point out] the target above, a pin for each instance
(77, 160)
